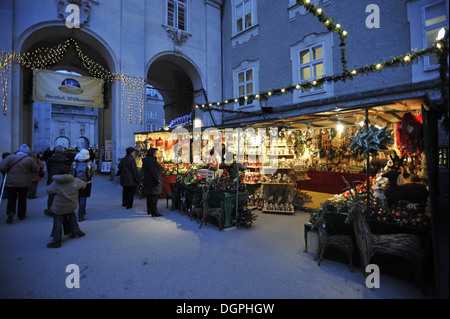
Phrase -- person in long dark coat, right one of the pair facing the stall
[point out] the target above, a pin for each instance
(153, 185)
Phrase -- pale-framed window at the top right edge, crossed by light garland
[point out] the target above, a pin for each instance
(434, 17)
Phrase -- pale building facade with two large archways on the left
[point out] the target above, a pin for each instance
(173, 45)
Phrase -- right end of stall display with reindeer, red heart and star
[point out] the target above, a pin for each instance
(398, 189)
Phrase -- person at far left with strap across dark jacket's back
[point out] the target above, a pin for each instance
(18, 167)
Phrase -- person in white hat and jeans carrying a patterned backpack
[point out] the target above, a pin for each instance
(83, 168)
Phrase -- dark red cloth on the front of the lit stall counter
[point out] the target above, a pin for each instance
(328, 182)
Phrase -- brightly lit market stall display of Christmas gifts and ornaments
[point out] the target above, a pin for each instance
(279, 166)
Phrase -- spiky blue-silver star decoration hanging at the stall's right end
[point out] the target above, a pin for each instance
(371, 140)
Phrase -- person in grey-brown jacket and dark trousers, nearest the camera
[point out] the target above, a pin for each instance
(64, 190)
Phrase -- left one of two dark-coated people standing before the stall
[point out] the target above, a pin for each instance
(129, 177)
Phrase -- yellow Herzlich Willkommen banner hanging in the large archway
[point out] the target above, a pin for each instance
(68, 89)
